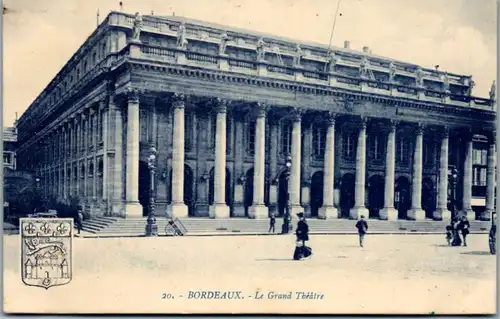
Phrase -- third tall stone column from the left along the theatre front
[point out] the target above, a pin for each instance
(219, 209)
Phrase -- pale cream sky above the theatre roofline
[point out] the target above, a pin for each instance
(460, 35)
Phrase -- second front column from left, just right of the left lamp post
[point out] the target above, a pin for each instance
(177, 208)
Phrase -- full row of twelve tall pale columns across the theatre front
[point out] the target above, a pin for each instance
(258, 209)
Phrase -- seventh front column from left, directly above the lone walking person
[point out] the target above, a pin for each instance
(359, 184)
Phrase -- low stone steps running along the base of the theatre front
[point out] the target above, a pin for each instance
(114, 226)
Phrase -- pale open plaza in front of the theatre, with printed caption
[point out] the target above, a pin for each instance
(392, 274)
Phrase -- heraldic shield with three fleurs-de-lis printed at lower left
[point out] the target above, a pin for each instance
(46, 251)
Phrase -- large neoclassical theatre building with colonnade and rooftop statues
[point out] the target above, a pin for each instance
(225, 108)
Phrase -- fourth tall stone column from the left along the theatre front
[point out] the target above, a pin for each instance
(258, 208)
